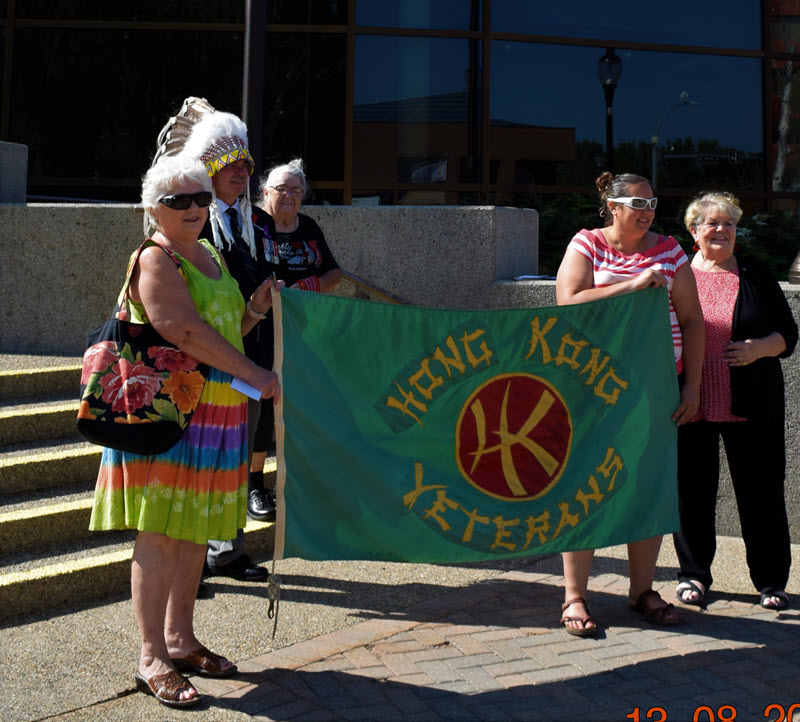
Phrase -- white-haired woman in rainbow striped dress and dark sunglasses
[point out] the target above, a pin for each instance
(198, 489)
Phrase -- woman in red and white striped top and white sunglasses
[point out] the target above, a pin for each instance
(622, 257)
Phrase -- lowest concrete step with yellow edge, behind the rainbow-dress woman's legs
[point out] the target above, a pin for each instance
(91, 572)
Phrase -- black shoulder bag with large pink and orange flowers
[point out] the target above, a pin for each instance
(138, 391)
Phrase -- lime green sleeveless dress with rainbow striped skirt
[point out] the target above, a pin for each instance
(197, 490)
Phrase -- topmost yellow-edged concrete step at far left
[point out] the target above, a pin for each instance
(24, 376)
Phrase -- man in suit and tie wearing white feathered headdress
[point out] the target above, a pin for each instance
(219, 141)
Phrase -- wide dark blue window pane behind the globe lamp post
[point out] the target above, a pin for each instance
(548, 125)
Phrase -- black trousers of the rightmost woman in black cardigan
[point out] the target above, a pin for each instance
(757, 462)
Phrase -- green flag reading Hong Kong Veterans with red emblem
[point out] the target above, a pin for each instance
(430, 435)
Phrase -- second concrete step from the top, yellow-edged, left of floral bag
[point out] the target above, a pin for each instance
(37, 420)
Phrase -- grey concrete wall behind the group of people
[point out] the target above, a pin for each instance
(64, 264)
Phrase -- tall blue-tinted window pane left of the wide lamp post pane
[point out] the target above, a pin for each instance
(416, 114)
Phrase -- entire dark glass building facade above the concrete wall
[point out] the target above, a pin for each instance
(419, 101)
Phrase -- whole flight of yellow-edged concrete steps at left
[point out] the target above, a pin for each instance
(49, 559)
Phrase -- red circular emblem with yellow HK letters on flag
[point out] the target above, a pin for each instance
(513, 437)
